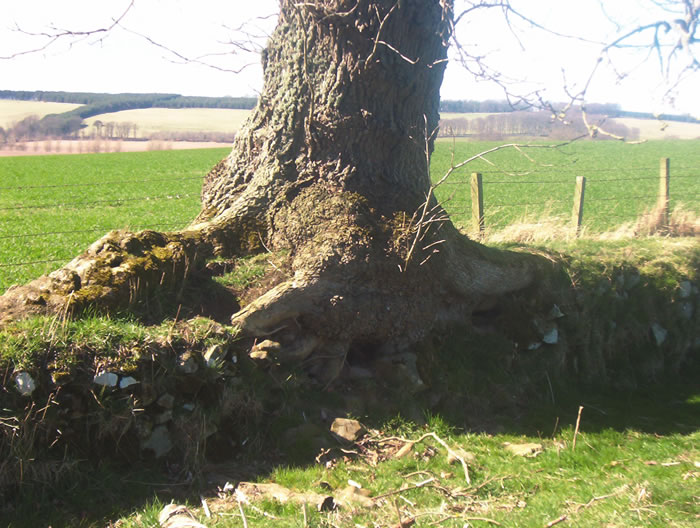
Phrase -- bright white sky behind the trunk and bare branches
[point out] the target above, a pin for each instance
(137, 56)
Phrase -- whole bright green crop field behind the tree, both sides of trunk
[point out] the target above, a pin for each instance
(53, 207)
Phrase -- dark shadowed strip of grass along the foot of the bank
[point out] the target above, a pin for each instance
(97, 496)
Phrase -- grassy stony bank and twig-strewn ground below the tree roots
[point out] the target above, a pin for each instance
(500, 393)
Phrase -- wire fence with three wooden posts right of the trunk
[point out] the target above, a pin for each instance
(597, 199)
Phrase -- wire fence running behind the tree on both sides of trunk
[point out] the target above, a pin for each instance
(31, 245)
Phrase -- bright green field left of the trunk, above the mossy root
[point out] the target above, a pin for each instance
(53, 207)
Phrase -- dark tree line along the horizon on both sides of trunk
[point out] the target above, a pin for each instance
(506, 120)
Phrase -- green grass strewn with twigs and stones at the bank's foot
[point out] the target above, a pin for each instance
(621, 473)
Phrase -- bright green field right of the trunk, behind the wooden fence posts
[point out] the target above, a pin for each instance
(622, 180)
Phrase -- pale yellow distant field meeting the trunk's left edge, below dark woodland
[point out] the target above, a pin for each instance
(154, 120)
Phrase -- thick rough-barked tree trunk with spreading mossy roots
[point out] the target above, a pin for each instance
(333, 167)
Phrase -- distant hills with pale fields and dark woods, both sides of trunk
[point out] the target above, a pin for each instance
(120, 115)
